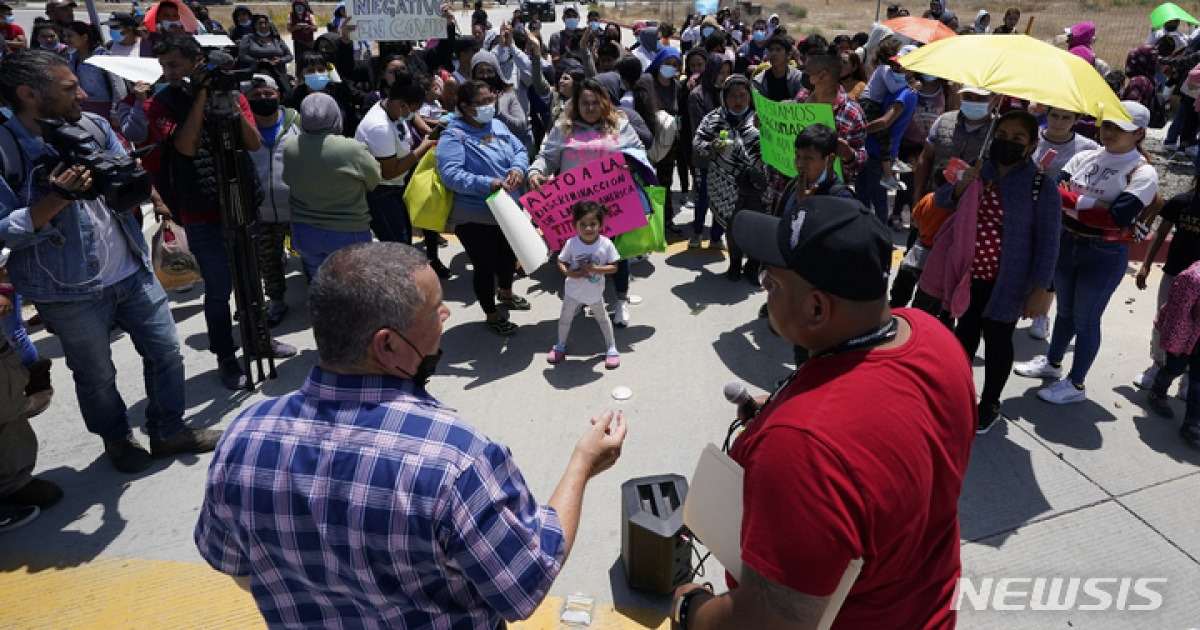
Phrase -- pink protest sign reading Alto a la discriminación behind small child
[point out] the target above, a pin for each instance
(605, 182)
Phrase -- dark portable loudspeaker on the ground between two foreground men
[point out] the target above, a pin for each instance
(653, 548)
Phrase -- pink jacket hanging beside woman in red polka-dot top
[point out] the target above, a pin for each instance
(947, 275)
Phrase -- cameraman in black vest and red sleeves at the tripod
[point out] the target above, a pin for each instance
(189, 183)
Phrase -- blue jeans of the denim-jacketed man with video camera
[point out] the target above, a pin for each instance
(140, 307)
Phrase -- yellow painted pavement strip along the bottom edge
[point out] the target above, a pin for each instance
(131, 593)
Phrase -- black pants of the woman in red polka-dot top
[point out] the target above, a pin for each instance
(997, 335)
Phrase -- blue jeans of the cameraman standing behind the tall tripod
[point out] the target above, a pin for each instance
(207, 243)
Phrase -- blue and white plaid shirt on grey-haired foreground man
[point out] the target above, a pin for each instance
(362, 502)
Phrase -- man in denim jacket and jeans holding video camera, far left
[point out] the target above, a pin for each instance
(87, 266)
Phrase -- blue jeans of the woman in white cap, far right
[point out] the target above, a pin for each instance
(1088, 273)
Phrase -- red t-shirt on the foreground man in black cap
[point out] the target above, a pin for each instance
(830, 479)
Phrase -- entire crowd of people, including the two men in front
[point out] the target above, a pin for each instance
(1011, 207)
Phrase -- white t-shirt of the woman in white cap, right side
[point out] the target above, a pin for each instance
(1100, 177)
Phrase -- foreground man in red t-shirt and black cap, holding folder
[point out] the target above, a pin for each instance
(860, 455)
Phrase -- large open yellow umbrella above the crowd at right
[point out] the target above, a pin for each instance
(1023, 68)
